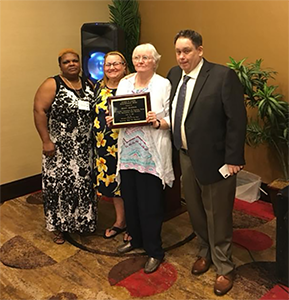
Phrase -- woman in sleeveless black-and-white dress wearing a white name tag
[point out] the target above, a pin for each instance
(63, 113)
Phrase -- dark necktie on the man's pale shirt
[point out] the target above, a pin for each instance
(179, 113)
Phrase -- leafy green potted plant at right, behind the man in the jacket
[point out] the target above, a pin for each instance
(269, 121)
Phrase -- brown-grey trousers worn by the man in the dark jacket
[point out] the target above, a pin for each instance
(210, 208)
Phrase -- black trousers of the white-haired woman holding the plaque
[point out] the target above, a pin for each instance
(143, 197)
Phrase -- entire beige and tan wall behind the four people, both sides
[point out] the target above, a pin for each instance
(32, 32)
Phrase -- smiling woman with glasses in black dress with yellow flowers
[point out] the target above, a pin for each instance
(115, 68)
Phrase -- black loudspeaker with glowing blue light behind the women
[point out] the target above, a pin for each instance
(97, 39)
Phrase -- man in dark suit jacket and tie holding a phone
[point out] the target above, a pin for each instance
(208, 120)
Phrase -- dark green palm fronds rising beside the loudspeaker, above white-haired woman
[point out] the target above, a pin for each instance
(125, 14)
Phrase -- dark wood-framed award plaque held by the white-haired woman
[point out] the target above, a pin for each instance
(129, 110)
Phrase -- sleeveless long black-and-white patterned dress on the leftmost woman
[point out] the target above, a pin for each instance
(69, 198)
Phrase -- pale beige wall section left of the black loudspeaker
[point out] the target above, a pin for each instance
(32, 32)
